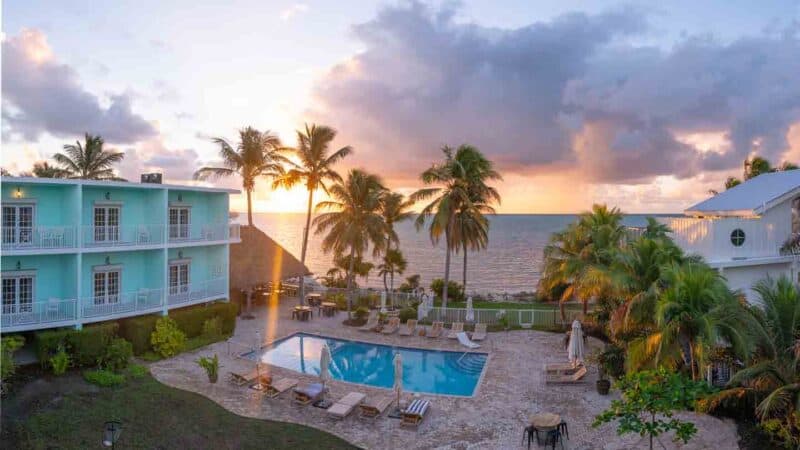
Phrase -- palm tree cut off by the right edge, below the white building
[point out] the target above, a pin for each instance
(773, 379)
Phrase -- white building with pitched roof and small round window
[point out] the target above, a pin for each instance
(748, 232)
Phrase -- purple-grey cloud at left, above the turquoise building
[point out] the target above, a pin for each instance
(42, 95)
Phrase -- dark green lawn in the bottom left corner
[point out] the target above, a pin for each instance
(153, 416)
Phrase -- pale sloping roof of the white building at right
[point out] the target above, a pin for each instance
(751, 198)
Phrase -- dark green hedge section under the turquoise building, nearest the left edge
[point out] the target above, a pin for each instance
(86, 347)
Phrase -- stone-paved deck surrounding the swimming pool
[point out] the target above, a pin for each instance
(512, 389)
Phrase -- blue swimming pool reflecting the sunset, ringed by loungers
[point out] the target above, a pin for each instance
(425, 371)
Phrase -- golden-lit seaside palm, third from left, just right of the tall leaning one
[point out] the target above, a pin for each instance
(354, 221)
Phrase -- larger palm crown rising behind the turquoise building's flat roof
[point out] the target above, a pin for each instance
(89, 161)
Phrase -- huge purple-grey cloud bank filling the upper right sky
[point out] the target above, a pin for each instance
(574, 92)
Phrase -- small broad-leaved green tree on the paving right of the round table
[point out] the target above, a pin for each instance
(649, 401)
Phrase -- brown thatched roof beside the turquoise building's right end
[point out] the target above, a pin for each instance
(258, 260)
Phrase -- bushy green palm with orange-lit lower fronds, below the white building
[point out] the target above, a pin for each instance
(694, 314)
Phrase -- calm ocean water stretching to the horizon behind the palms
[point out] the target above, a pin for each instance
(510, 264)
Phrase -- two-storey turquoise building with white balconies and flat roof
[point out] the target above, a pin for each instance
(82, 251)
